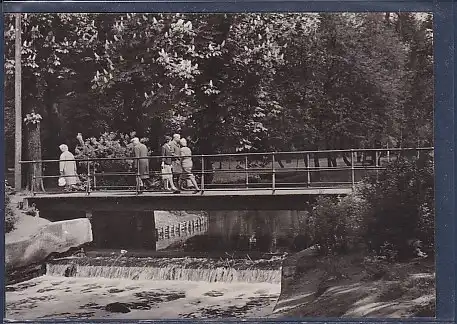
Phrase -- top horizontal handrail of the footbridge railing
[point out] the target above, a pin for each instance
(234, 154)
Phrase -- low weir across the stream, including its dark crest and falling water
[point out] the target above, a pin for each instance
(181, 269)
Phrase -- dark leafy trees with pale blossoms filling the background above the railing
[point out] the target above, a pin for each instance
(241, 82)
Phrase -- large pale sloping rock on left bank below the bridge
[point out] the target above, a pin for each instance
(56, 237)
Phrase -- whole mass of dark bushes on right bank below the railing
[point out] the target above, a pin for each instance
(392, 215)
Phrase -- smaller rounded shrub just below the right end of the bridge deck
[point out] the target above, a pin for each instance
(335, 223)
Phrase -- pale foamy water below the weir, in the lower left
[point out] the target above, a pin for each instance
(53, 297)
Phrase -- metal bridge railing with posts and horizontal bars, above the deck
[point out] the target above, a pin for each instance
(239, 171)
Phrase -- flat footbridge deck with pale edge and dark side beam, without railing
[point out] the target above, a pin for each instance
(280, 199)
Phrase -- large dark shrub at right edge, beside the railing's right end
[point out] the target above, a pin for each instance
(401, 201)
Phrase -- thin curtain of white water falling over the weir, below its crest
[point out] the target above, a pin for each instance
(218, 274)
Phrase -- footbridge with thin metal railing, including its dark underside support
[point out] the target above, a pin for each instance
(274, 181)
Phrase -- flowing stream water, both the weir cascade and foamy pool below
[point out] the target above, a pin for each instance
(148, 288)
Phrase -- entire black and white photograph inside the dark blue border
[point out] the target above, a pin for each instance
(219, 166)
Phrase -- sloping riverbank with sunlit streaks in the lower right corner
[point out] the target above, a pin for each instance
(355, 286)
